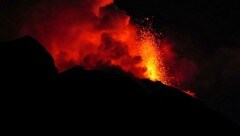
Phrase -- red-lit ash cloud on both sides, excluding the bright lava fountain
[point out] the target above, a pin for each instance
(88, 33)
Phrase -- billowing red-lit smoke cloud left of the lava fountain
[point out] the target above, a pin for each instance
(90, 33)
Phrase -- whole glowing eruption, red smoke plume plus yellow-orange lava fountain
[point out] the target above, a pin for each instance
(93, 33)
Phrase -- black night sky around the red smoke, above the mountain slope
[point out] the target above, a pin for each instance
(206, 32)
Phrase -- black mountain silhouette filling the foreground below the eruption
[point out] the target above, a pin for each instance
(36, 98)
